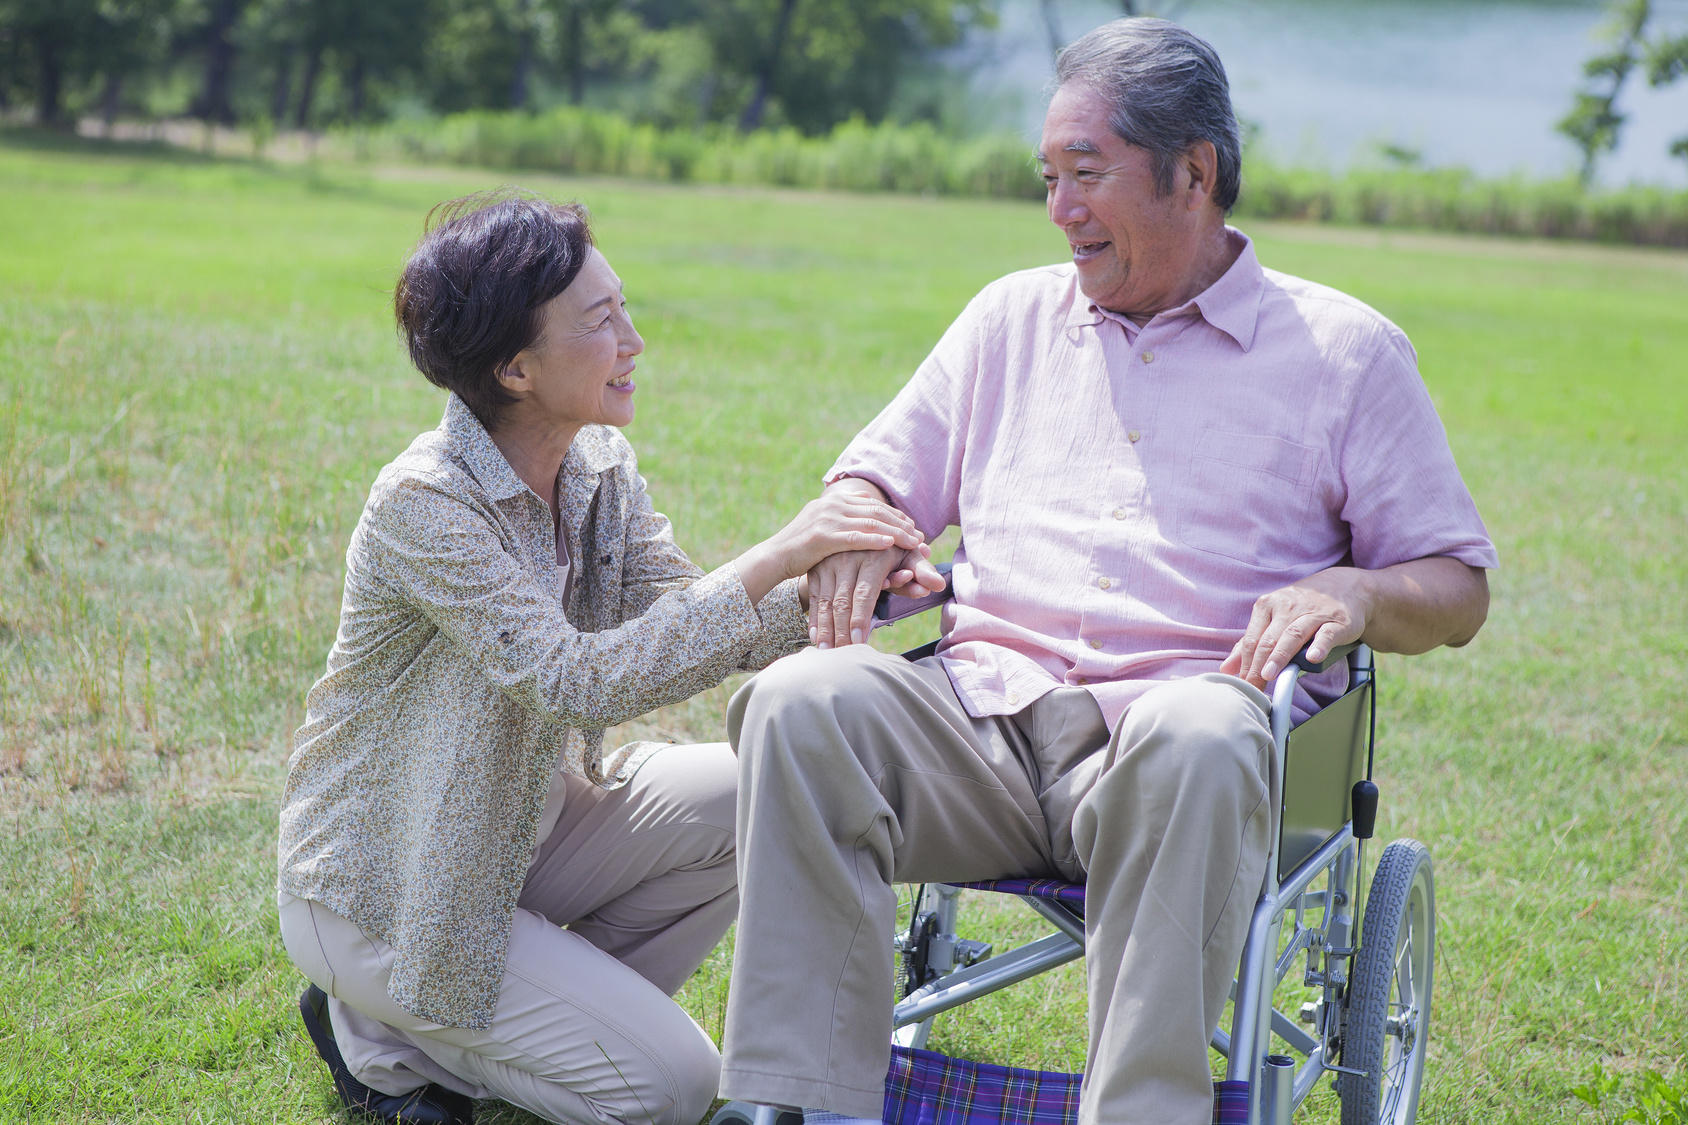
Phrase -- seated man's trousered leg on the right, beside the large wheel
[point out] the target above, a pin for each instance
(1174, 840)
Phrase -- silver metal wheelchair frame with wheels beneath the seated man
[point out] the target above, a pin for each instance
(1370, 1021)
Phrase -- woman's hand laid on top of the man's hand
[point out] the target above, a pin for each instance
(838, 521)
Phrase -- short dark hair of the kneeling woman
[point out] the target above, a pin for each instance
(470, 295)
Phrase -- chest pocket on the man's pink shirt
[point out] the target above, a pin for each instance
(1252, 497)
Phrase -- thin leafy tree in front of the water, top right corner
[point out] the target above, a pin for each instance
(1596, 122)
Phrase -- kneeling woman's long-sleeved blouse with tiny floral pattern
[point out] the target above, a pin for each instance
(463, 677)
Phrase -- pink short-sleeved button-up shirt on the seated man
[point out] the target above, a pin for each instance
(1125, 494)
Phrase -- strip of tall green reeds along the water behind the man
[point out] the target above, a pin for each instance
(916, 158)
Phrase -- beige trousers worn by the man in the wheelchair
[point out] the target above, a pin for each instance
(860, 771)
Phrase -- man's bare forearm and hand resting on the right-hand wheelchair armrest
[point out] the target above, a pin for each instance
(1410, 607)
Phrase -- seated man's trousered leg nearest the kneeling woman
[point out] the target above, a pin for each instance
(857, 771)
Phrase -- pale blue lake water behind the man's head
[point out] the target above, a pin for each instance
(1473, 84)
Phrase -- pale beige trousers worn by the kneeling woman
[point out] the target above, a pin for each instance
(622, 903)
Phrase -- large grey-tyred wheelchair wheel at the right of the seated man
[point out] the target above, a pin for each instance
(1388, 1019)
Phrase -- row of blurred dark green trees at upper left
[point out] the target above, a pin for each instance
(308, 63)
